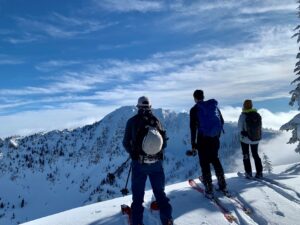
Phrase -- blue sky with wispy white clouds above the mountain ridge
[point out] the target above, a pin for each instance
(68, 63)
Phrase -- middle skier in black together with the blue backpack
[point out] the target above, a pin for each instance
(205, 135)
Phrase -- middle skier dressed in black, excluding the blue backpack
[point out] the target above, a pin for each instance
(206, 146)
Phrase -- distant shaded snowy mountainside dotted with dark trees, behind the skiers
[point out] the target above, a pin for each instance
(47, 173)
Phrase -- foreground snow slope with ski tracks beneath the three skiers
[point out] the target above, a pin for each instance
(276, 204)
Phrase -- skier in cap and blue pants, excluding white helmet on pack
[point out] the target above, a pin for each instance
(146, 165)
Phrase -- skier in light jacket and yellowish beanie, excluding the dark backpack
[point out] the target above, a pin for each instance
(246, 142)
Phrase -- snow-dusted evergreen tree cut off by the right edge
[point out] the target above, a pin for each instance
(294, 124)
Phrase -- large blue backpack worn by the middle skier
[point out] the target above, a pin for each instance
(209, 118)
